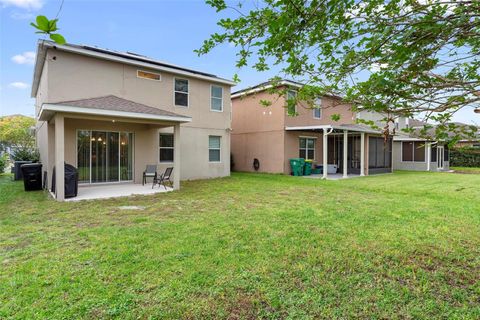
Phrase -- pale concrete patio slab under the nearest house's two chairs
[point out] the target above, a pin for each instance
(106, 191)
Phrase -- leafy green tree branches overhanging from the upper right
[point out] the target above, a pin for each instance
(397, 57)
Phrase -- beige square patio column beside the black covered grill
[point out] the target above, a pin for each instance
(59, 158)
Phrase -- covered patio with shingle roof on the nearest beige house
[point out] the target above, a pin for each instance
(110, 141)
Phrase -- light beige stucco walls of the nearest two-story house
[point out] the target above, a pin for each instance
(73, 77)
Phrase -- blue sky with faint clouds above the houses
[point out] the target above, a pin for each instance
(165, 30)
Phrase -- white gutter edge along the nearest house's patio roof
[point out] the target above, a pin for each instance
(110, 113)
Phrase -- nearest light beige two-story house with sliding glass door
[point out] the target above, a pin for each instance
(110, 114)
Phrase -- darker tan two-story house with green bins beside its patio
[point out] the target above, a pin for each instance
(271, 136)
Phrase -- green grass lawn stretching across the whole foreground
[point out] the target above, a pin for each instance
(403, 246)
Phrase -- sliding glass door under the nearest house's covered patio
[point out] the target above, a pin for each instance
(104, 156)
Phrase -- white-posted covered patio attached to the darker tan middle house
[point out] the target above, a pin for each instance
(351, 148)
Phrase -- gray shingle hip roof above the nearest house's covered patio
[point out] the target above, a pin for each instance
(115, 103)
